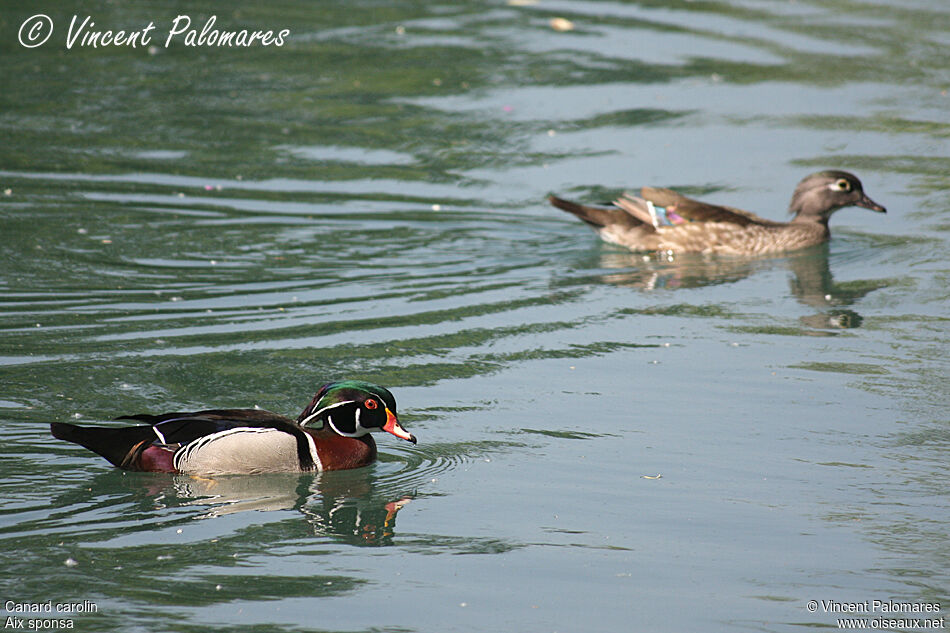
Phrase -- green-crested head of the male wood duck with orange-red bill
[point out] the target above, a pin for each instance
(353, 408)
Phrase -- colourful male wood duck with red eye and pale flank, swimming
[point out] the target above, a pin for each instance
(332, 433)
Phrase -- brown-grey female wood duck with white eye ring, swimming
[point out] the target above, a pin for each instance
(663, 220)
